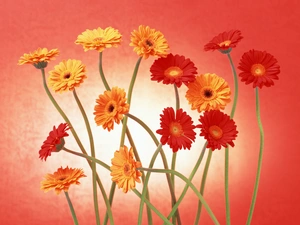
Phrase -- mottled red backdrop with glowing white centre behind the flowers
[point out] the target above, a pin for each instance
(27, 115)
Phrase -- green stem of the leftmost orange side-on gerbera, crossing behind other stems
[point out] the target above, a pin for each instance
(77, 140)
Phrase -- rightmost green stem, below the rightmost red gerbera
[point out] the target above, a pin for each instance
(260, 157)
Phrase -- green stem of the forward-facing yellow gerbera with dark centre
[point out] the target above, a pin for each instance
(91, 139)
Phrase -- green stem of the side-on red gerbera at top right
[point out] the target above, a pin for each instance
(226, 171)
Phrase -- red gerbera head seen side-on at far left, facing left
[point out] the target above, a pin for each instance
(55, 141)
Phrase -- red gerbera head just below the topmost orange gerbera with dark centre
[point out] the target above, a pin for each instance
(173, 69)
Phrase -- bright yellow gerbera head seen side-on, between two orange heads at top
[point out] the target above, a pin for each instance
(99, 39)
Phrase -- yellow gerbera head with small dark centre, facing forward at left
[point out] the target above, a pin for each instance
(67, 75)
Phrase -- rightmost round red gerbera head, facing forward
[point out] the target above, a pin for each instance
(259, 68)
